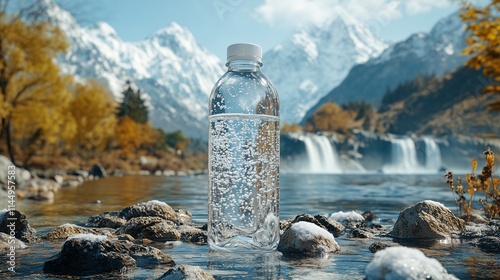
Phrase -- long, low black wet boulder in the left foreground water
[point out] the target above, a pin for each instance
(88, 254)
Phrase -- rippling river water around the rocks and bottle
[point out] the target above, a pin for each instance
(384, 195)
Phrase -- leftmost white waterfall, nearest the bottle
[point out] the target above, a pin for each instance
(322, 157)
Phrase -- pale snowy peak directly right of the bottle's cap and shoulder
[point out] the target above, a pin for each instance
(316, 59)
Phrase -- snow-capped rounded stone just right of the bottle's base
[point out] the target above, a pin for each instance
(304, 239)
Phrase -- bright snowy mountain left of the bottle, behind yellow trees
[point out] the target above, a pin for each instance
(170, 67)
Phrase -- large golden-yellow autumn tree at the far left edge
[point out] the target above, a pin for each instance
(30, 81)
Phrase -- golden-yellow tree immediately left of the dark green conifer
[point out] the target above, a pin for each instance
(93, 111)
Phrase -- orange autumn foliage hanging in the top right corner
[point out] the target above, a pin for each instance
(483, 42)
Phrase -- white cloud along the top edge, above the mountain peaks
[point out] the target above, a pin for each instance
(296, 12)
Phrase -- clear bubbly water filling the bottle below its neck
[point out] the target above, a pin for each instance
(244, 181)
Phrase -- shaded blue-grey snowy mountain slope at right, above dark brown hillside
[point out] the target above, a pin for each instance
(433, 53)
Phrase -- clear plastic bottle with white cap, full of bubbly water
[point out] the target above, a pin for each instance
(243, 199)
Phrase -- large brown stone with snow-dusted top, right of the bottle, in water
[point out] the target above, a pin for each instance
(426, 219)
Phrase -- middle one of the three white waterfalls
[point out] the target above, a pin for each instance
(403, 156)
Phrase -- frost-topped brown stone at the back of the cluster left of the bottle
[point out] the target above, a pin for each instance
(153, 208)
